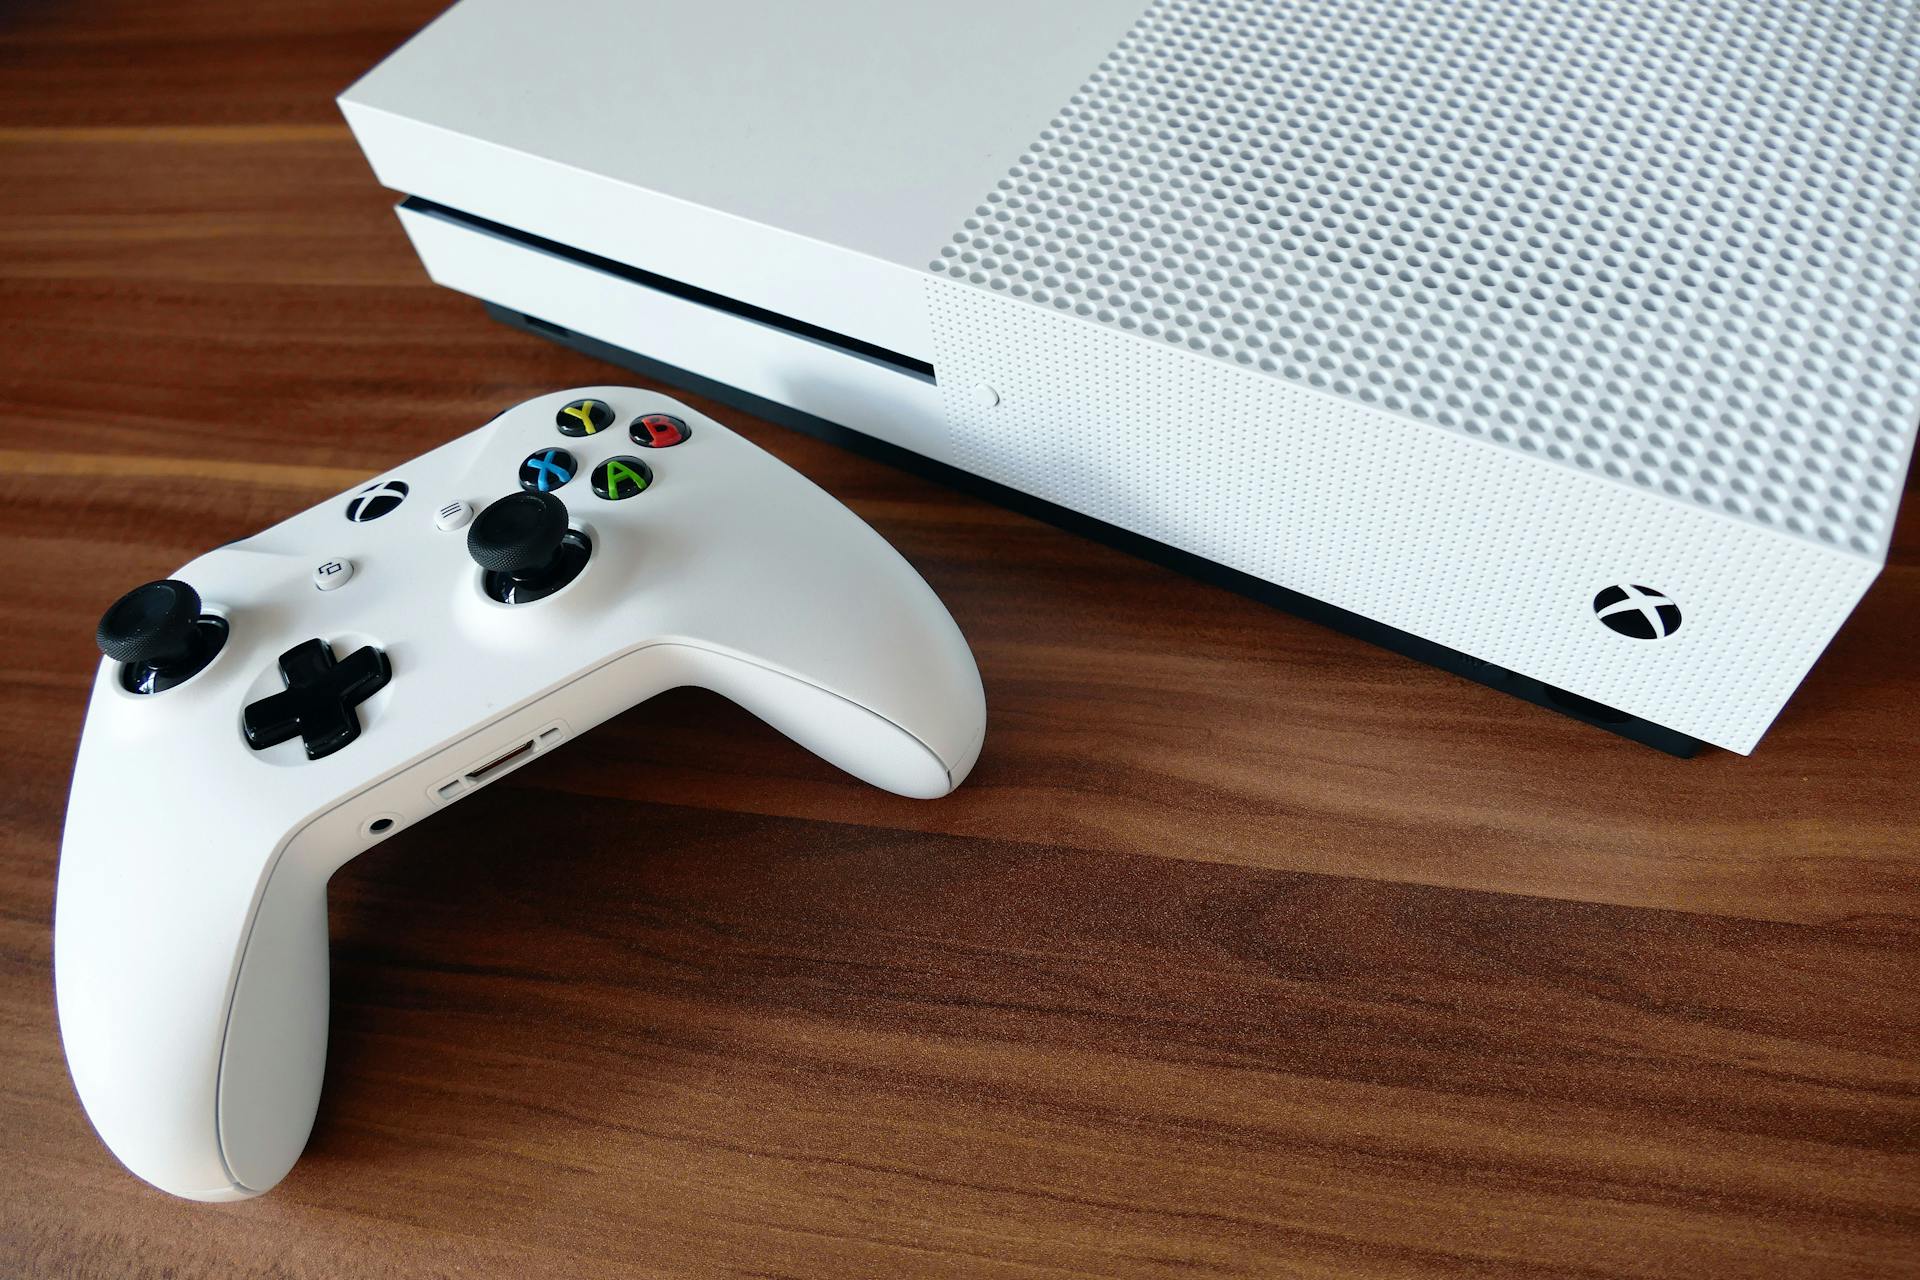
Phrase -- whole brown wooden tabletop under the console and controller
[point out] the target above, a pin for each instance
(1249, 951)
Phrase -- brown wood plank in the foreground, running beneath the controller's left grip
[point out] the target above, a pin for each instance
(721, 1043)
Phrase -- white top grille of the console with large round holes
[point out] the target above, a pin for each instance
(1669, 243)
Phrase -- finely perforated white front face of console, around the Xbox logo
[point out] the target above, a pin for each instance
(1477, 548)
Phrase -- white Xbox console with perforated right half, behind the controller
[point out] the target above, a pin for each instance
(1568, 344)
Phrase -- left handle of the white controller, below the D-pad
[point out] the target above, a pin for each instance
(201, 1074)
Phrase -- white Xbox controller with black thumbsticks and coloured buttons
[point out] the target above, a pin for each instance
(368, 663)
